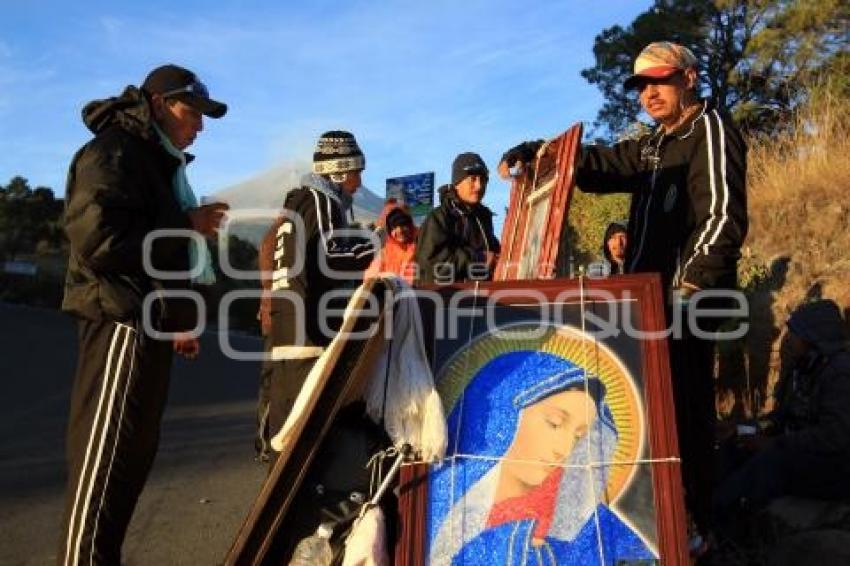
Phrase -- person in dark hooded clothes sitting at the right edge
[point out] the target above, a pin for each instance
(803, 447)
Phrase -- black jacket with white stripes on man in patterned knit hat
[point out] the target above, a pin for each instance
(317, 255)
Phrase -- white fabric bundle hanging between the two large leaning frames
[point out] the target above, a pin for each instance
(409, 403)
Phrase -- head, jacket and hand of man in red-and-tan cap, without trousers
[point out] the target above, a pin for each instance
(688, 214)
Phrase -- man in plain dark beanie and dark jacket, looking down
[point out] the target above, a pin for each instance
(456, 242)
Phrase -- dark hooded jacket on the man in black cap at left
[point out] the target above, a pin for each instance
(119, 190)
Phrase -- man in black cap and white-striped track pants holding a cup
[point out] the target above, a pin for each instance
(121, 188)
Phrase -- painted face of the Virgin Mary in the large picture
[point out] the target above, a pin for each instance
(545, 436)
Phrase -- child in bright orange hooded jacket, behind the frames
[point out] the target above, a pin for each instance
(397, 255)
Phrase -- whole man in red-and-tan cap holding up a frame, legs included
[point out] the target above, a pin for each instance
(687, 221)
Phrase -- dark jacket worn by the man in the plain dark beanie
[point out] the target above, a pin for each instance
(454, 234)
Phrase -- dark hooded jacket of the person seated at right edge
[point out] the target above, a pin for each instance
(813, 401)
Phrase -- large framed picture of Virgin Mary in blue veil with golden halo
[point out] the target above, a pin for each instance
(562, 445)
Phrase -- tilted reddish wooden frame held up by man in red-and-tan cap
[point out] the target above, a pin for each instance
(537, 211)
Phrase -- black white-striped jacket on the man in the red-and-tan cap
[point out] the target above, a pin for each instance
(688, 215)
